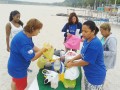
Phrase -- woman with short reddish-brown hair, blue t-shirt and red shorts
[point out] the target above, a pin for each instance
(22, 52)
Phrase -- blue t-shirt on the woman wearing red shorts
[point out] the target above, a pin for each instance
(21, 53)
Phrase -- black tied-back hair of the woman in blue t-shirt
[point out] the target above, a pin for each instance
(92, 26)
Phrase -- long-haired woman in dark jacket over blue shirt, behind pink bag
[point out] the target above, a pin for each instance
(72, 27)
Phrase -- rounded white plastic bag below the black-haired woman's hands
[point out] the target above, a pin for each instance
(72, 73)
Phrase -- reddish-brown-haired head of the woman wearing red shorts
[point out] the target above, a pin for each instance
(33, 26)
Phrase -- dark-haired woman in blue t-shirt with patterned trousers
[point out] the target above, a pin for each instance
(91, 58)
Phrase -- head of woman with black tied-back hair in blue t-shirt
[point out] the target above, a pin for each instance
(89, 29)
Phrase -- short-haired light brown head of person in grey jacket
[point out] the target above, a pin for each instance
(105, 29)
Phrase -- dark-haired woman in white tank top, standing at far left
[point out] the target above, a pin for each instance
(14, 26)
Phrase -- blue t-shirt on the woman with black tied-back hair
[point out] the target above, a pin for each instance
(92, 52)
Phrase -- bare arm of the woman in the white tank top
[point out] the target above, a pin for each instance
(8, 31)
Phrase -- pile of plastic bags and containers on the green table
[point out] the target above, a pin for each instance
(54, 69)
